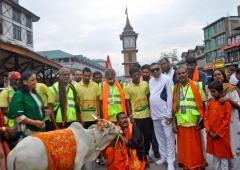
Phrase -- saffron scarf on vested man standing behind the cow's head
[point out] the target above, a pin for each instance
(105, 95)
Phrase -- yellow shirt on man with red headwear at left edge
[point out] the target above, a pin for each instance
(6, 96)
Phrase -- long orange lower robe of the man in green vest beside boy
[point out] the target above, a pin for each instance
(189, 144)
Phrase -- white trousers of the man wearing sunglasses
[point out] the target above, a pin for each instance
(166, 140)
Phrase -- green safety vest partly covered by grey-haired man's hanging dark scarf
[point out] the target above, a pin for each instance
(71, 110)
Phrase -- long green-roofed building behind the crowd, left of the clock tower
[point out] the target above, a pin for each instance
(73, 62)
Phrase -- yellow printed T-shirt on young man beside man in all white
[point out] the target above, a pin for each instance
(137, 94)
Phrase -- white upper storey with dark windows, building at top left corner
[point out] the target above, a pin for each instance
(16, 24)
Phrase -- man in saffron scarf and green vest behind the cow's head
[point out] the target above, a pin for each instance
(112, 97)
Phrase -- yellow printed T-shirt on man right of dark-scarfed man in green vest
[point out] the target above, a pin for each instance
(88, 95)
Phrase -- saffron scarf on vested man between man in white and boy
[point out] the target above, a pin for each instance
(197, 97)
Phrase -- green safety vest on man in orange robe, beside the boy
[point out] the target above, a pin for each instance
(191, 115)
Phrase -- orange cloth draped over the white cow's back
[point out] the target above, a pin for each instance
(61, 148)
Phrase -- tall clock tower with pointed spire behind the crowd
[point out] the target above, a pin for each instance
(129, 51)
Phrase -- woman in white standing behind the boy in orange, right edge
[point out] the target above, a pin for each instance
(231, 94)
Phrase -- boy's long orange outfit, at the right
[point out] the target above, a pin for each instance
(217, 119)
